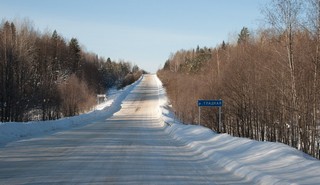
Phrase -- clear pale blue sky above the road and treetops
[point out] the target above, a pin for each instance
(144, 32)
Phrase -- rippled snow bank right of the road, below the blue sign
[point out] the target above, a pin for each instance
(260, 162)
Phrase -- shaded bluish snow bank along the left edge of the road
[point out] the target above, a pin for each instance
(13, 131)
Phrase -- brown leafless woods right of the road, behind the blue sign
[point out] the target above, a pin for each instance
(269, 79)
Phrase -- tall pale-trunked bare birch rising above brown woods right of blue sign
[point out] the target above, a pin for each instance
(283, 15)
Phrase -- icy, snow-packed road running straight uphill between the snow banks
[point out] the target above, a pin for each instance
(130, 147)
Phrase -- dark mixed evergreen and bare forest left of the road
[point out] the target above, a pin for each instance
(45, 75)
